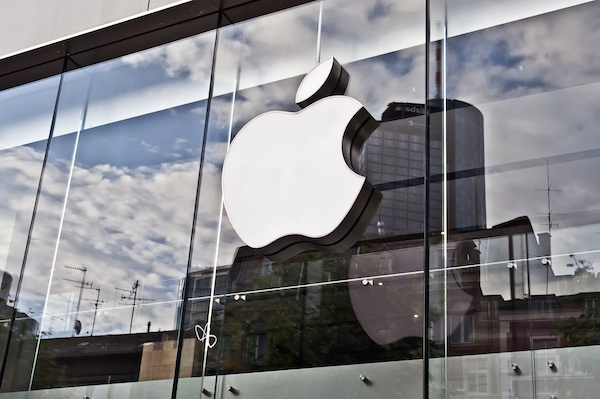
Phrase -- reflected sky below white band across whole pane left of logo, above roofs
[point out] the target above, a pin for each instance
(128, 218)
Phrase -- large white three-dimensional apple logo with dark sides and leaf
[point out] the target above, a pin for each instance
(290, 180)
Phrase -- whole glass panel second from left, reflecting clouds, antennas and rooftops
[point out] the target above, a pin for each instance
(111, 243)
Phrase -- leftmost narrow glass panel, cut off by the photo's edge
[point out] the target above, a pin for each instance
(25, 121)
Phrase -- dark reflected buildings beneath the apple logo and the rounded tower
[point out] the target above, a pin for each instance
(502, 296)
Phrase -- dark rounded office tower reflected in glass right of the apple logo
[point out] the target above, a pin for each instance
(393, 160)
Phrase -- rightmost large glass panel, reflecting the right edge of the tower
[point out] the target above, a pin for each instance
(527, 89)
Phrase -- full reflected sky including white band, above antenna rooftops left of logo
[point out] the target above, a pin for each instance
(132, 186)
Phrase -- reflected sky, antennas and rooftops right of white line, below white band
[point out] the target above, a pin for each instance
(120, 209)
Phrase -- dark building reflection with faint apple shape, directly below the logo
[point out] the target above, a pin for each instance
(314, 323)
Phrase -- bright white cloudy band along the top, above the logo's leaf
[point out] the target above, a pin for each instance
(350, 31)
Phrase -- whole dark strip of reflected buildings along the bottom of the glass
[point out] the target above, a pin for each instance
(503, 299)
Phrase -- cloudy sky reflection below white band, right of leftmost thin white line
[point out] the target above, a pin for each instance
(129, 211)
